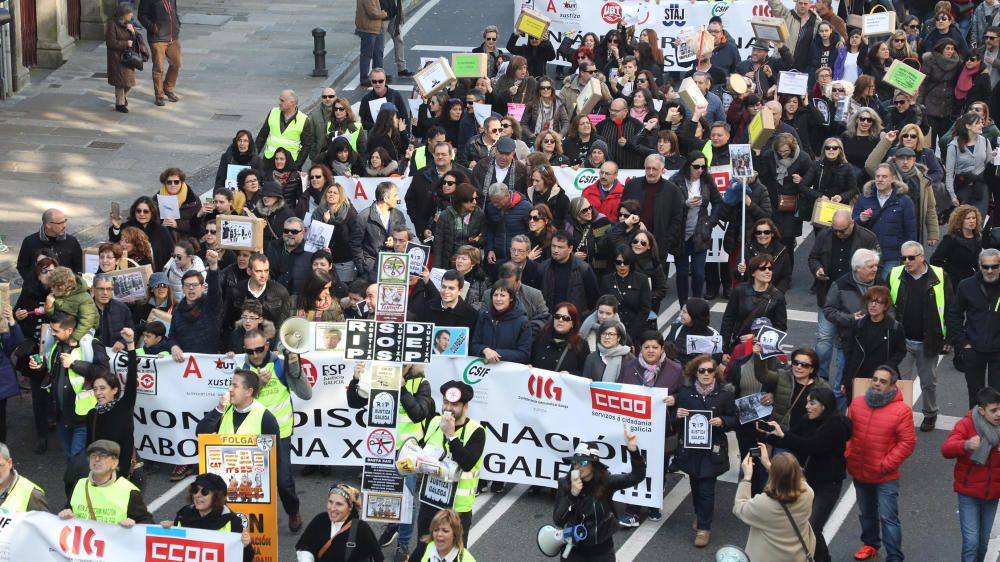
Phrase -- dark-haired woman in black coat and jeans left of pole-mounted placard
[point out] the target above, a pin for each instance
(702, 206)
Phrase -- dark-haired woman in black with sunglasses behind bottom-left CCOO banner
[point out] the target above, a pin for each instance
(206, 509)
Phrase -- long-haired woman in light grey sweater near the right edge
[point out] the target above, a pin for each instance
(968, 154)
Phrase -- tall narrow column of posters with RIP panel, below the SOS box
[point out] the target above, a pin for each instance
(385, 496)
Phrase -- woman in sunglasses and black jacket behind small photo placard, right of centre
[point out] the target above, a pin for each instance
(755, 299)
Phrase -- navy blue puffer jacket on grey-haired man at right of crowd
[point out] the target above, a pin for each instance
(894, 223)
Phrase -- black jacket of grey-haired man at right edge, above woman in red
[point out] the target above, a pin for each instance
(973, 318)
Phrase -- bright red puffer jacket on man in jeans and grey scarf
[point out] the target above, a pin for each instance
(883, 438)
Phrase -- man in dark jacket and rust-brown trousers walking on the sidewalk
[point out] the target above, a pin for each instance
(163, 28)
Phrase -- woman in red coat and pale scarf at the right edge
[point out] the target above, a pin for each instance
(974, 446)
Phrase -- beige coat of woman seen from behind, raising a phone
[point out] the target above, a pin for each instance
(771, 534)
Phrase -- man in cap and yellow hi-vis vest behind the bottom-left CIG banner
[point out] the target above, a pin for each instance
(103, 495)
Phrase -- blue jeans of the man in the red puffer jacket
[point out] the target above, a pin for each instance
(878, 506)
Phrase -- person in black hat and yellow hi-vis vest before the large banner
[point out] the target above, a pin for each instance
(464, 441)
